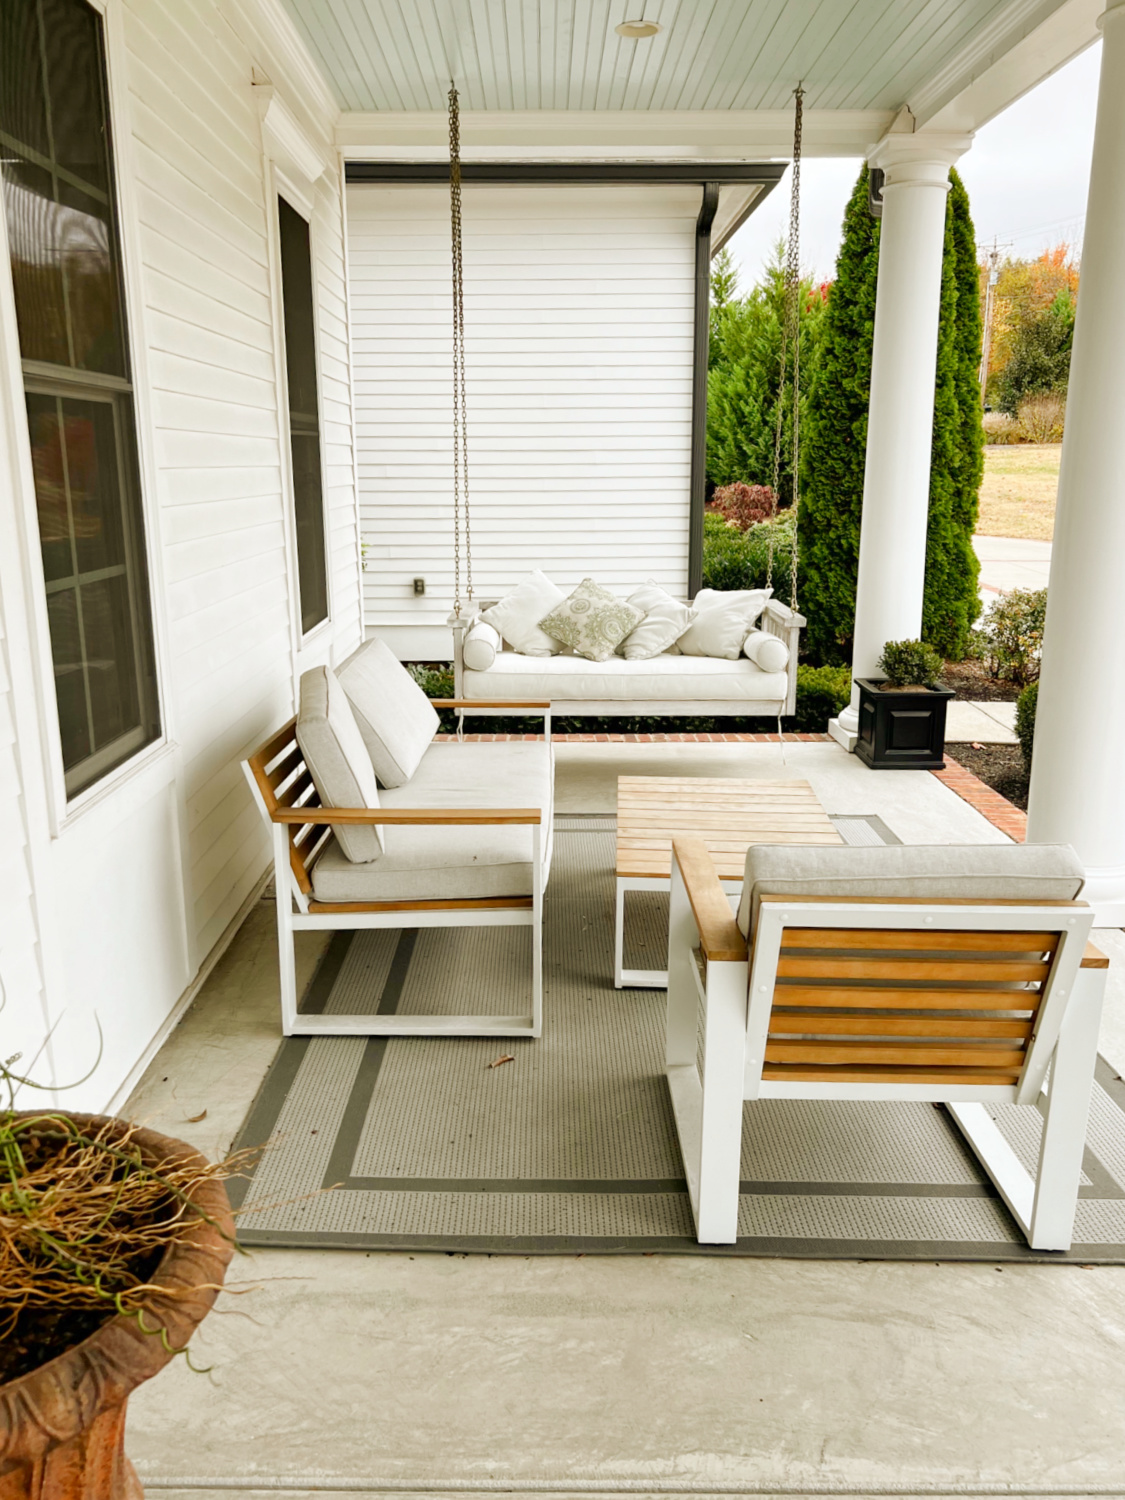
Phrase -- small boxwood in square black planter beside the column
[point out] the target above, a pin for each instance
(902, 715)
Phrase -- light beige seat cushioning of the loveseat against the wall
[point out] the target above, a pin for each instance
(452, 862)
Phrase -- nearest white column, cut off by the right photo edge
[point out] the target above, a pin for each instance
(1078, 788)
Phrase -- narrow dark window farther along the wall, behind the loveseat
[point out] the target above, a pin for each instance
(305, 428)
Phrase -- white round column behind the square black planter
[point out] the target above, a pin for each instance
(889, 604)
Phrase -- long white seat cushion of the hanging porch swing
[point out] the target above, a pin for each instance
(668, 677)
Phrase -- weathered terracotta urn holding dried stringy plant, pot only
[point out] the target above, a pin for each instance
(62, 1426)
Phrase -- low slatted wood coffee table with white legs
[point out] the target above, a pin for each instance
(727, 814)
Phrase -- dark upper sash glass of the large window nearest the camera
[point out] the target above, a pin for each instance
(58, 190)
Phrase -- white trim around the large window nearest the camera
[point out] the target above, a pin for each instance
(62, 811)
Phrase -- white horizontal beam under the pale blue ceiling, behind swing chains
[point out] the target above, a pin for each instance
(745, 136)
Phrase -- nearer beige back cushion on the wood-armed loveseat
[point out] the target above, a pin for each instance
(337, 760)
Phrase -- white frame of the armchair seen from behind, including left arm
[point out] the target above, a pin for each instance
(709, 965)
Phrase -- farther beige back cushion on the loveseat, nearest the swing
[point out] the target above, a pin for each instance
(395, 718)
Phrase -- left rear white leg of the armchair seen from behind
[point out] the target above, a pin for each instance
(721, 1145)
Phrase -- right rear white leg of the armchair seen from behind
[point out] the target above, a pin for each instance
(1069, 1106)
